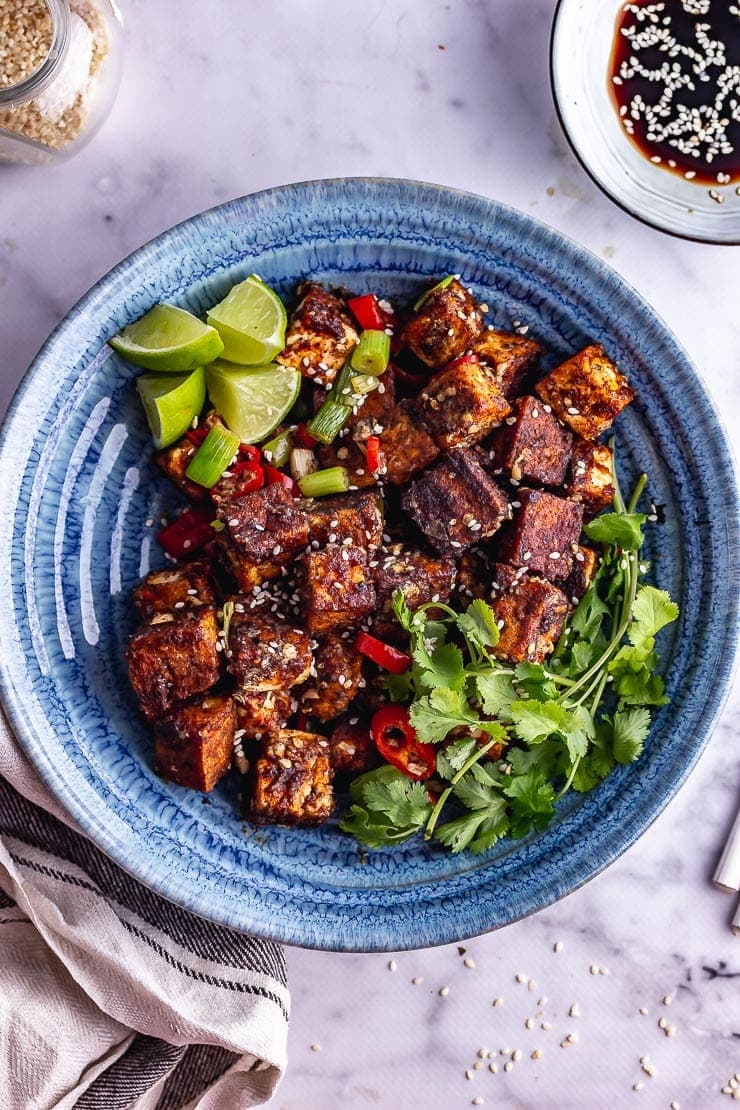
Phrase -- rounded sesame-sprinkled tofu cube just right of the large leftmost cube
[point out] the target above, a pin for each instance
(266, 653)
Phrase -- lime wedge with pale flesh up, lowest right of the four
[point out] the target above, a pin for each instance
(252, 401)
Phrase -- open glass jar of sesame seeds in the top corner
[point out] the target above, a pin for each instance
(60, 66)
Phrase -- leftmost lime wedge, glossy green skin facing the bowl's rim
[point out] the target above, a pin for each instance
(169, 340)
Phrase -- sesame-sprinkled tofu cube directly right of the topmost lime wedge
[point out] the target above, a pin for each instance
(320, 337)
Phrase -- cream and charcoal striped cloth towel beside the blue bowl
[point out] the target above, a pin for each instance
(111, 997)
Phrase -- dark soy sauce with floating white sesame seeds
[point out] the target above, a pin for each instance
(675, 80)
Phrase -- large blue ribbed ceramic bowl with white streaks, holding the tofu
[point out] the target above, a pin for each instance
(77, 462)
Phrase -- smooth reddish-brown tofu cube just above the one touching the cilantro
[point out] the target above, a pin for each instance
(544, 534)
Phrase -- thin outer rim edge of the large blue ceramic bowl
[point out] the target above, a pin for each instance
(584, 872)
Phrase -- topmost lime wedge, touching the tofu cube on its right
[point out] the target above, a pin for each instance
(251, 321)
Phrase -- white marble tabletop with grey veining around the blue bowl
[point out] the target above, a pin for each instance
(224, 99)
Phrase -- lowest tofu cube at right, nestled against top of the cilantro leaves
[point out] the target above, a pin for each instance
(531, 615)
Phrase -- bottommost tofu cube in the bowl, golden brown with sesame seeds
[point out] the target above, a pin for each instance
(292, 781)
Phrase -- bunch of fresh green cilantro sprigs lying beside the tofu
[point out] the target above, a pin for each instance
(514, 740)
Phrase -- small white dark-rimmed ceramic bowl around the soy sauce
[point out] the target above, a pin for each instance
(581, 49)
